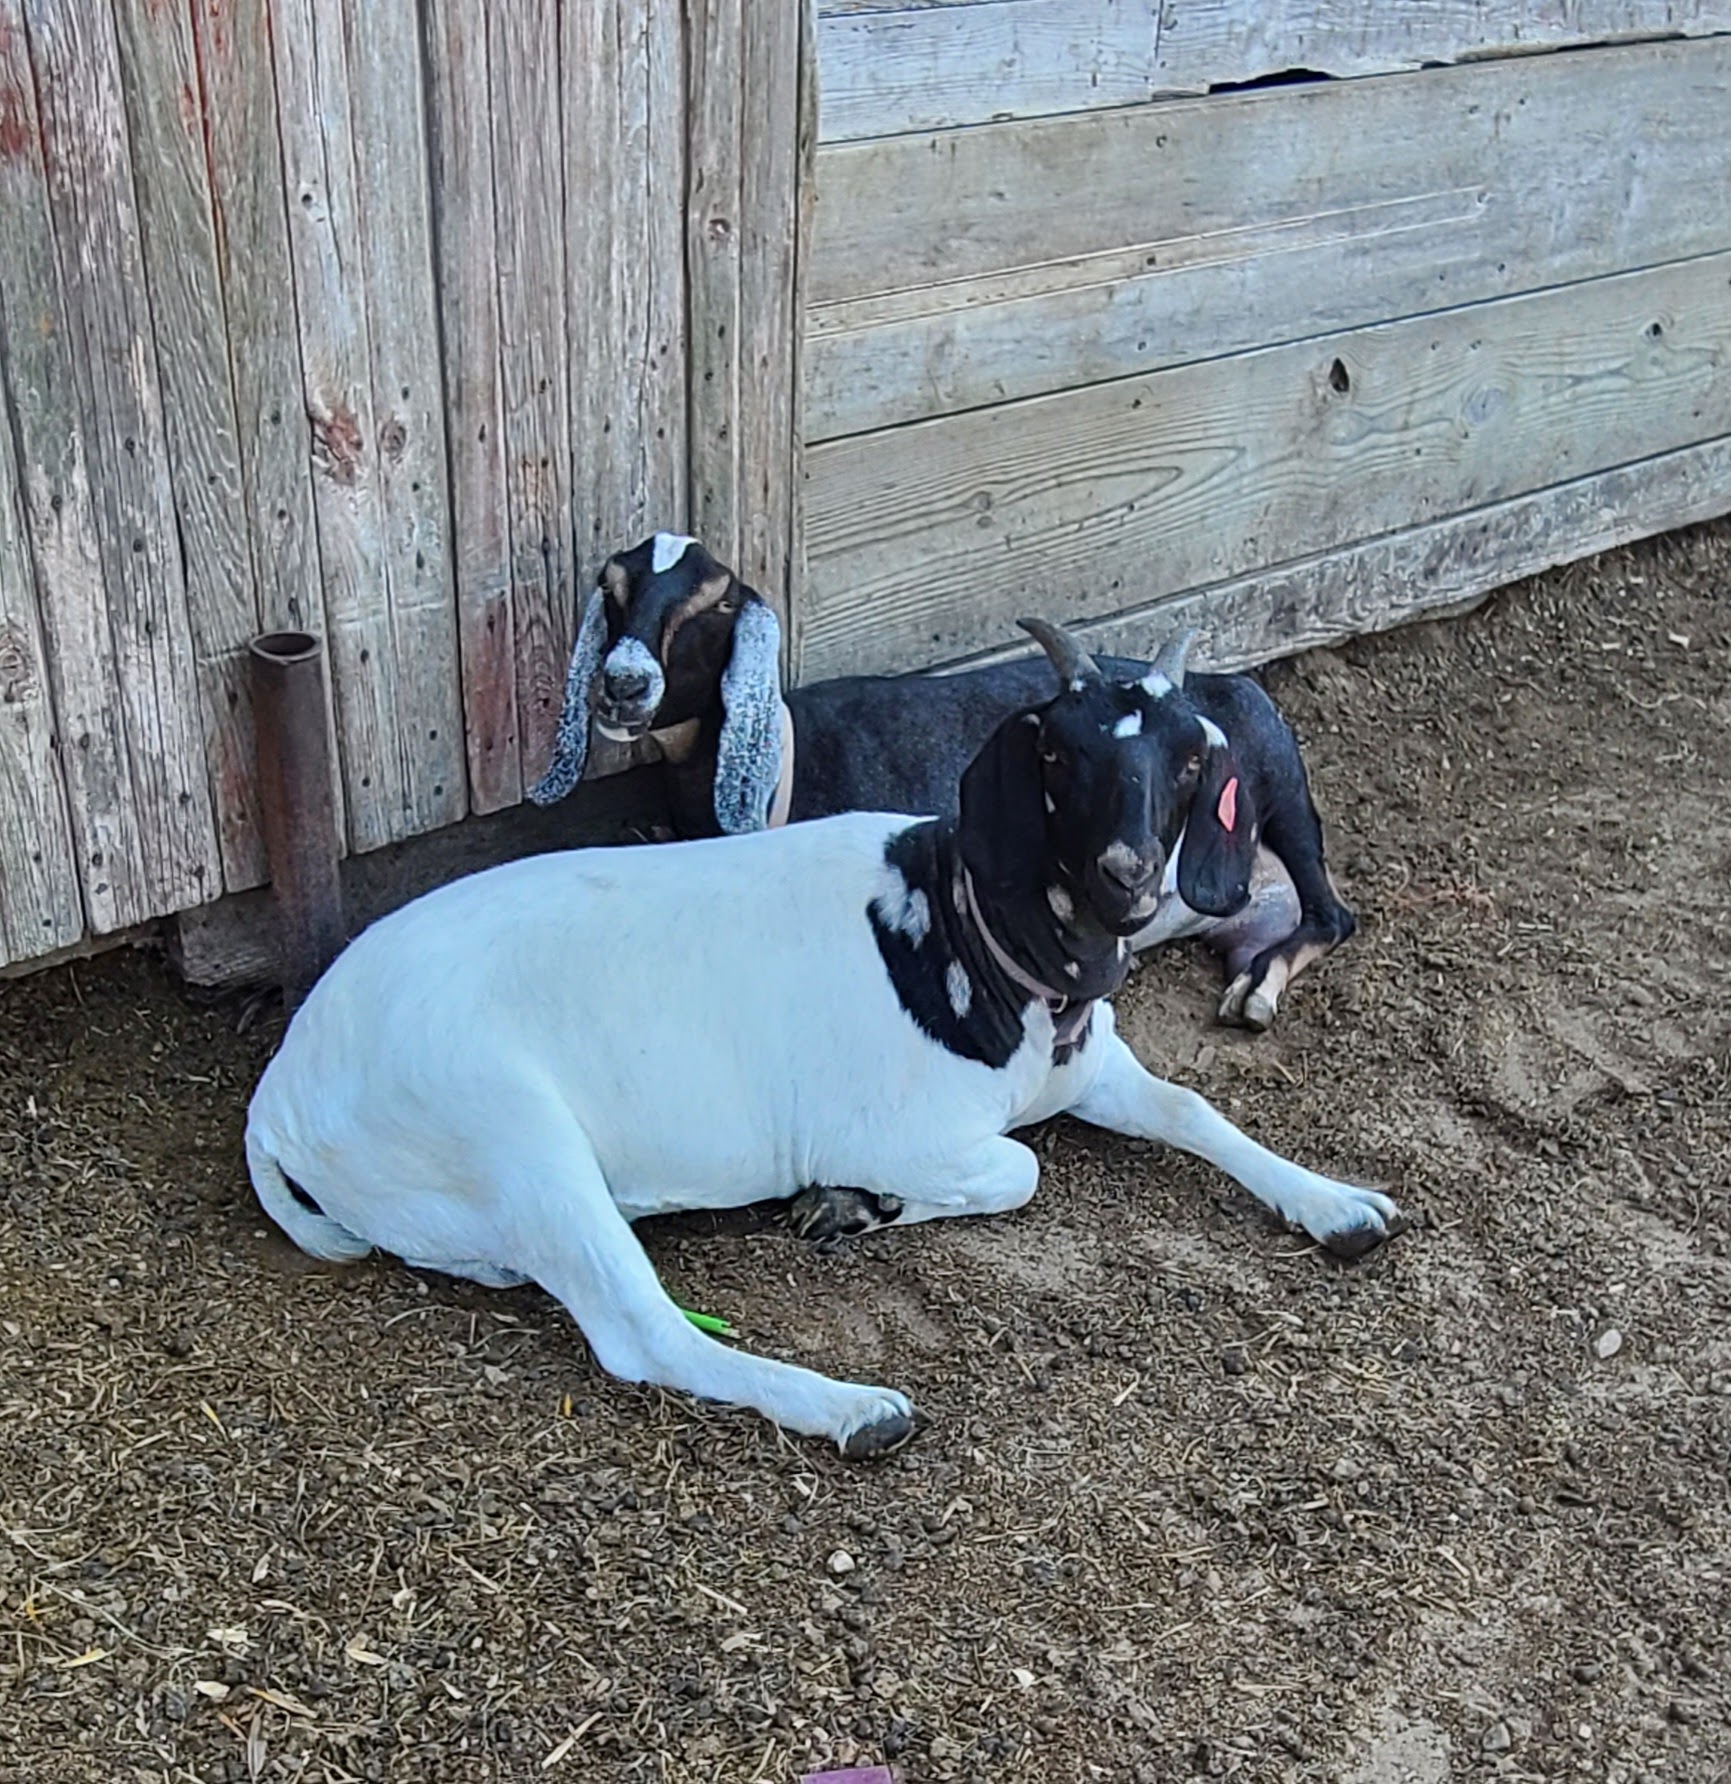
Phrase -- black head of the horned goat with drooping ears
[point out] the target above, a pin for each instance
(1095, 791)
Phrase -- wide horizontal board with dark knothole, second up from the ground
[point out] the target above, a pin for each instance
(925, 543)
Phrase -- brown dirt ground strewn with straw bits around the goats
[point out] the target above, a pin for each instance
(1195, 1501)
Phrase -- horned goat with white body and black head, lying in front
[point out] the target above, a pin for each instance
(499, 1078)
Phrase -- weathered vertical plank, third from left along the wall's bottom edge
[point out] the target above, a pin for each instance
(115, 374)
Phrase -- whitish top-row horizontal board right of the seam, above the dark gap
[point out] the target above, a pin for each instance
(1211, 44)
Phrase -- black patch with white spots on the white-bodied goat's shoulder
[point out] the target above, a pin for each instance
(993, 1028)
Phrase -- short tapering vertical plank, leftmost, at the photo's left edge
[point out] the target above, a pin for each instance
(40, 905)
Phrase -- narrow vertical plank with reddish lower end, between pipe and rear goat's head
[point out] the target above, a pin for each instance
(460, 111)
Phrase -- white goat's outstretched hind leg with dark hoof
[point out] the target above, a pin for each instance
(570, 1235)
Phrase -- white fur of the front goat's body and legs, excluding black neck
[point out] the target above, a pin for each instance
(501, 1077)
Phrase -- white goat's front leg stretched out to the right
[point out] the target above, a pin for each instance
(1131, 1100)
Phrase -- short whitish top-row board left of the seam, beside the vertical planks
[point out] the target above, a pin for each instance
(923, 69)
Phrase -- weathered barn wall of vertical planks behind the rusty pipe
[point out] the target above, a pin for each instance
(381, 318)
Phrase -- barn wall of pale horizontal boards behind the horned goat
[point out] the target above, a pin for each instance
(1289, 361)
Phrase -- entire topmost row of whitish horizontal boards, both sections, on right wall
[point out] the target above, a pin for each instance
(891, 69)
